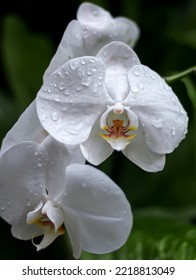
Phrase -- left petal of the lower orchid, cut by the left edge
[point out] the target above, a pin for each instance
(21, 180)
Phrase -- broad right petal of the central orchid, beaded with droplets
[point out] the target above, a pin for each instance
(158, 109)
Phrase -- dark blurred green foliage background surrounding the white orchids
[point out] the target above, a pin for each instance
(163, 203)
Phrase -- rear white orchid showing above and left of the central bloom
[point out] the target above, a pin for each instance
(93, 28)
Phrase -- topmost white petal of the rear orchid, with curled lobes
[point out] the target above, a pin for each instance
(100, 28)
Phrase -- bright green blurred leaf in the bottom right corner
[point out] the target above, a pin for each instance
(159, 234)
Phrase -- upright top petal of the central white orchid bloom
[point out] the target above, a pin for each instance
(118, 59)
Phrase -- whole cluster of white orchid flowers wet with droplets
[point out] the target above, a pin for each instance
(96, 97)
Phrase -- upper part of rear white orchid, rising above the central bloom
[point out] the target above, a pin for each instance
(94, 28)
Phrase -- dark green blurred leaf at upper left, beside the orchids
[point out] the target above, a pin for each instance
(25, 56)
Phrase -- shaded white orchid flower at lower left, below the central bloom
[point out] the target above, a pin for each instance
(43, 193)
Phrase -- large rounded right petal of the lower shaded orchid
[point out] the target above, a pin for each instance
(101, 209)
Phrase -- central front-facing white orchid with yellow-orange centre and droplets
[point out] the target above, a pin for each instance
(113, 102)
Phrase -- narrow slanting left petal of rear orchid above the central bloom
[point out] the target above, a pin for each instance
(71, 46)
